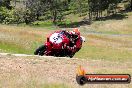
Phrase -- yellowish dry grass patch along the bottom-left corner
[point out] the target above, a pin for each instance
(15, 80)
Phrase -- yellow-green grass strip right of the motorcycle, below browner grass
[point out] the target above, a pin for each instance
(104, 53)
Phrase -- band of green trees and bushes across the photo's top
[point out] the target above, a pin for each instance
(56, 11)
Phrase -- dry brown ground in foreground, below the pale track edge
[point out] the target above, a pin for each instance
(19, 69)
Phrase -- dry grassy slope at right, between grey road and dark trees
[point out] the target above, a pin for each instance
(112, 26)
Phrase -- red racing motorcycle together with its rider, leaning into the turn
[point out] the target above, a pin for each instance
(61, 43)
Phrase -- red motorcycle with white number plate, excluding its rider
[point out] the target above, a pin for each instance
(56, 45)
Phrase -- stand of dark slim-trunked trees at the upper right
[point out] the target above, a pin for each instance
(96, 7)
